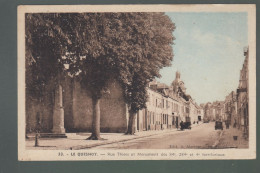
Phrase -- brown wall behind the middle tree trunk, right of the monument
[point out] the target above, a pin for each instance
(112, 109)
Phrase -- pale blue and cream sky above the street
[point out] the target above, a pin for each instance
(208, 52)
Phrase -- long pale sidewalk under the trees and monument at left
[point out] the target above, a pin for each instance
(75, 141)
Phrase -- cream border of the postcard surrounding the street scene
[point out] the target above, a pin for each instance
(48, 155)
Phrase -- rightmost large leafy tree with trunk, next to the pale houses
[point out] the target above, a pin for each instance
(153, 51)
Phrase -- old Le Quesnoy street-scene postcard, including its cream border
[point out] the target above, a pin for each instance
(136, 82)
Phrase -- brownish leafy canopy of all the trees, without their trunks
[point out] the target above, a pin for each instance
(99, 47)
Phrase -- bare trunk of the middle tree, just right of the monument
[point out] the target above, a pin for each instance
(96, 120)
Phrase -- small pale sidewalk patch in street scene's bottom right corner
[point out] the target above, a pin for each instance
(227, 140)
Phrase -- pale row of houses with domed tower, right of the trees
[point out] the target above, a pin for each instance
(168, 106)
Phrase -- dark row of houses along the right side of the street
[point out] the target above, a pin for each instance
(234, 109)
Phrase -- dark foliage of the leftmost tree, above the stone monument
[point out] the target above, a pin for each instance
(46, 43)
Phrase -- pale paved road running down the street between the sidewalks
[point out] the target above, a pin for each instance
(200, 136)
